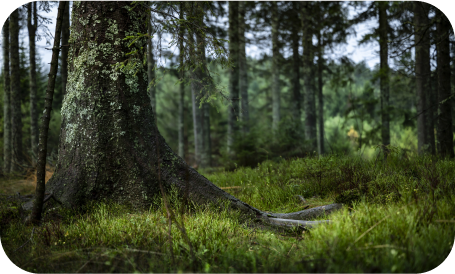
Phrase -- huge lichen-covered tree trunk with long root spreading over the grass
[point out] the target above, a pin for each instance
(110, 147)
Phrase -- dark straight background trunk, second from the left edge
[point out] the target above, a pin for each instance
(16, 118)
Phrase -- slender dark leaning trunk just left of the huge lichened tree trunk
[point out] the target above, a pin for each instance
(35, 215)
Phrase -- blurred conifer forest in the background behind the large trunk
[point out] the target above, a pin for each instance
(314, 100)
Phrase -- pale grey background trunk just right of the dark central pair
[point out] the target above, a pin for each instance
(275, 68)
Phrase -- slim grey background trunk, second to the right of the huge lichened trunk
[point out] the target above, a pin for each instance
(181, 151)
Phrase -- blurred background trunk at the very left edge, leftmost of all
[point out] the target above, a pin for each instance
(7, 142)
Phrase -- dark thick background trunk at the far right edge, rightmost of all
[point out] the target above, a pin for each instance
(445, 132)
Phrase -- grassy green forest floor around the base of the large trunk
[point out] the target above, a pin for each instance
(398, 216)
